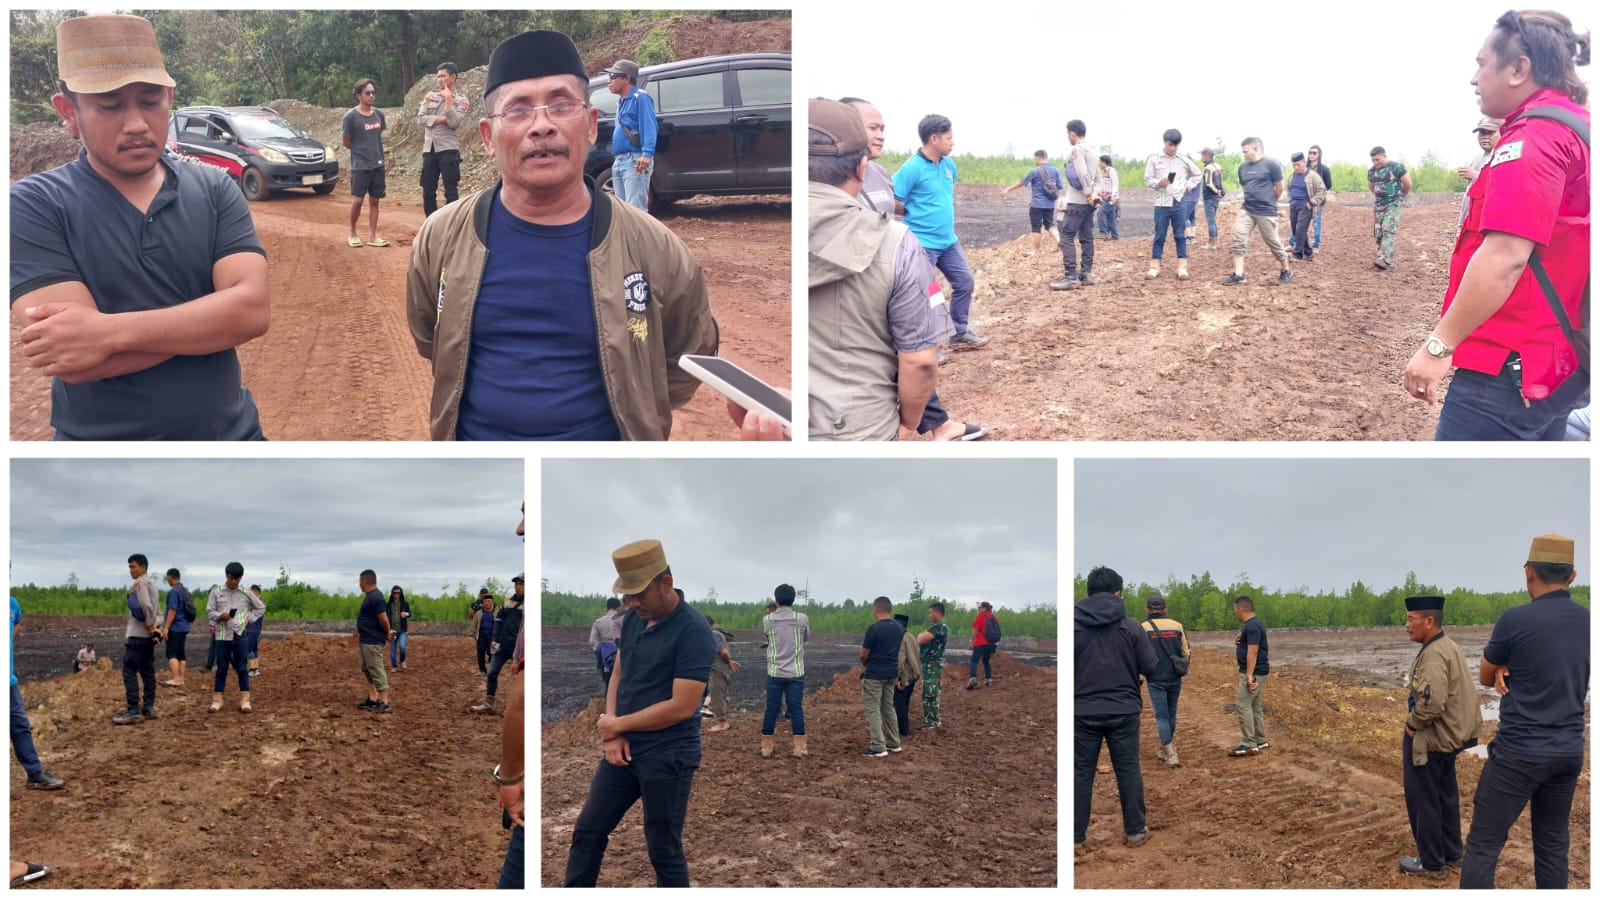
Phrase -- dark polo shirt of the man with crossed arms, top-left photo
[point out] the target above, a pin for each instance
(70, 225)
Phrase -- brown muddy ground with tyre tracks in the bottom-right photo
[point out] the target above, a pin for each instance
(1322, 807)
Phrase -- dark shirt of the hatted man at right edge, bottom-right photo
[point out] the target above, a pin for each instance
(1546, 650)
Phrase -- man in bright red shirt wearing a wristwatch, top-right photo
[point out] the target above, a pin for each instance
(1518, 375)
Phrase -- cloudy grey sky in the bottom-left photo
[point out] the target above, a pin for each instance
(418, 524)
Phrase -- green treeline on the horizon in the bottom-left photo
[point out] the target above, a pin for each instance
(286, 601)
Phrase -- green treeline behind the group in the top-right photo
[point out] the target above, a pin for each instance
(1428, 177)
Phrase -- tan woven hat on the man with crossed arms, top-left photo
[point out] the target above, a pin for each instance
(102, 54)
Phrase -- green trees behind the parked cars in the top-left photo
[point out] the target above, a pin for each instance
(254, 57)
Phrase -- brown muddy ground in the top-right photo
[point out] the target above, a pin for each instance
(1135, 359)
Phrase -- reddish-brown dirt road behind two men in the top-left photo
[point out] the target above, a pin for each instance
(340, 364)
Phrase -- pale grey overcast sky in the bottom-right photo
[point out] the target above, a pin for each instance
(1327, 524)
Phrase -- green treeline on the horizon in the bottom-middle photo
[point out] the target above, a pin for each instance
(850, 617)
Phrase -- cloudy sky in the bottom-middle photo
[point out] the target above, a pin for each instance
(974, 530)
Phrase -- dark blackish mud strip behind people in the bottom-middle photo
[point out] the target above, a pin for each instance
(569, 681)
